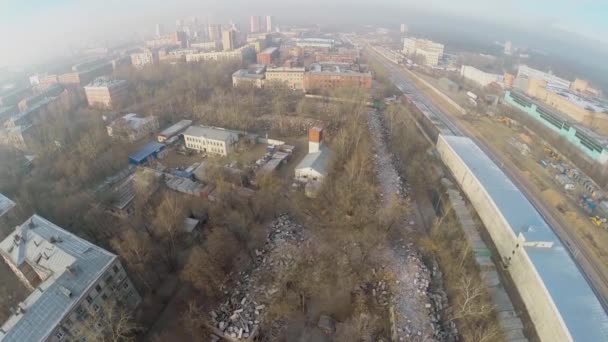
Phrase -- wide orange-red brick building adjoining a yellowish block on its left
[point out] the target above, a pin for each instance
(330, 76)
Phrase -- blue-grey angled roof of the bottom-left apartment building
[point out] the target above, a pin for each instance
(61, 267)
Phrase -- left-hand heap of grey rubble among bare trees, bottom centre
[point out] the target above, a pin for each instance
(239, 316)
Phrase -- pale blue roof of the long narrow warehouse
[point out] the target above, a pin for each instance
(564, 281)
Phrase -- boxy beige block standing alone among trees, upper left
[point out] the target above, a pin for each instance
(106, 92)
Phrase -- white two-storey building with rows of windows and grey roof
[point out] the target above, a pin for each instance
(211, 140)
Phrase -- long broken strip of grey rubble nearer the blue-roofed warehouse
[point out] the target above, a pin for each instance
(413, 295)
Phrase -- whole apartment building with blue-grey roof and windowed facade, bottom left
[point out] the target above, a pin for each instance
(70, 280)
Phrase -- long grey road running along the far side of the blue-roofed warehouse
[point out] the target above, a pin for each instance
(586, 263)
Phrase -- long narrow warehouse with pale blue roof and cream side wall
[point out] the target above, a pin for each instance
(561, 303)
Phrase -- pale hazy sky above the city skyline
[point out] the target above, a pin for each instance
(41, 28)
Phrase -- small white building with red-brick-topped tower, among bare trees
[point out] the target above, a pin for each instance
(313, 166)
